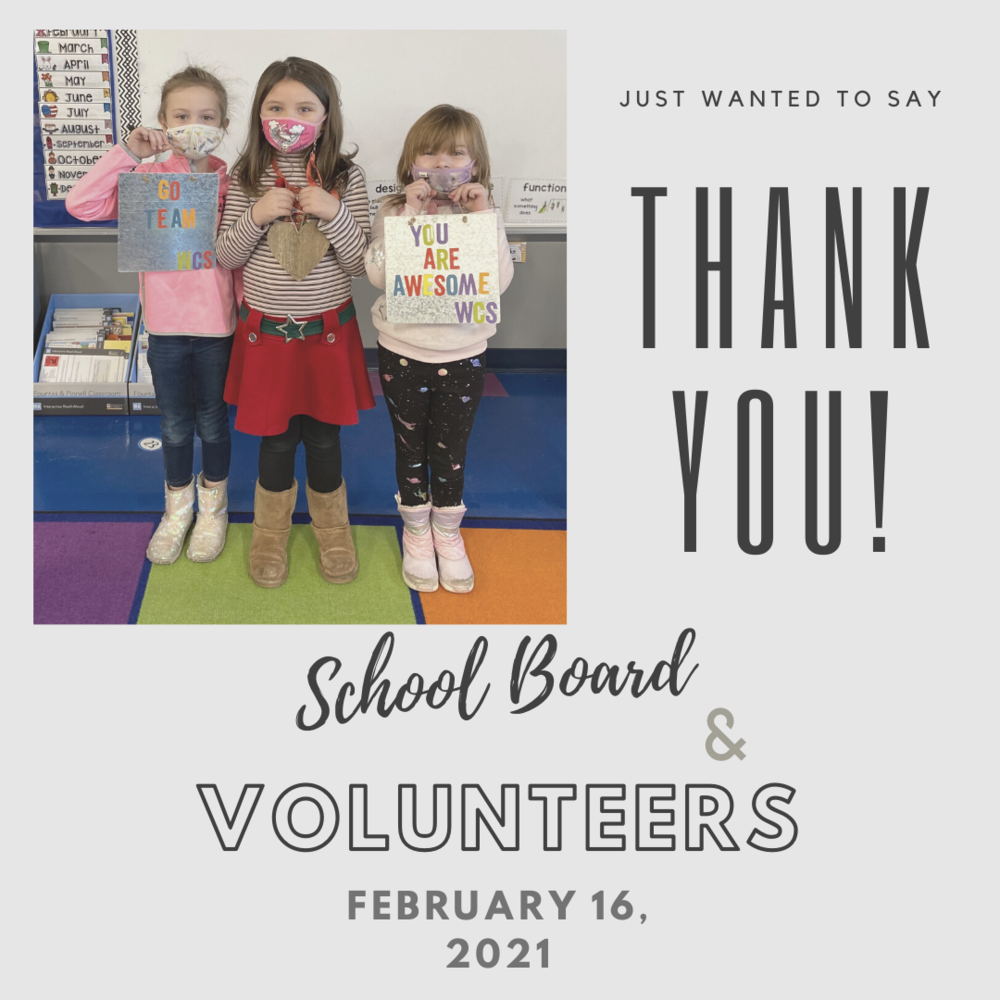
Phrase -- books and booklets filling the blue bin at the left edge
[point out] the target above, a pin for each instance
(87, 345)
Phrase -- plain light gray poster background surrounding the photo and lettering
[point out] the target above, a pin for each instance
(865, 681)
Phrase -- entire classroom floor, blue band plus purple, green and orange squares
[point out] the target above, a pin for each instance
(95, 483)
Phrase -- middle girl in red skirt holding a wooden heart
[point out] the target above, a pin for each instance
(297, 222)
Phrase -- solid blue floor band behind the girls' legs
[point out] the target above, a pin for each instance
(516, 460)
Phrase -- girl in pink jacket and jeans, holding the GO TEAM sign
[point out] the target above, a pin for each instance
(189, 316)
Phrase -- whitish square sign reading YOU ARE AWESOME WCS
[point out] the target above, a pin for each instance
(442, 269)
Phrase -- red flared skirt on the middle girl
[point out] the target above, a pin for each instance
(323, 375)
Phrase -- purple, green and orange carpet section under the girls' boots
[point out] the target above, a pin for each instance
(96, 572)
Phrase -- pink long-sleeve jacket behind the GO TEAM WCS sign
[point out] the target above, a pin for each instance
(190, 302)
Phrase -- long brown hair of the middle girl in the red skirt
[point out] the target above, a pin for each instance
(331, 162)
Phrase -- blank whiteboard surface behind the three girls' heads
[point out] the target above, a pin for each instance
(515, 81)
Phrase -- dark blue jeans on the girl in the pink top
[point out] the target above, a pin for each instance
(189, 374)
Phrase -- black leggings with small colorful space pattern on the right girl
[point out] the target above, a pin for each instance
(432, 408)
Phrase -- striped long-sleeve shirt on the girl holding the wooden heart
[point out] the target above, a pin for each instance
(267, 286)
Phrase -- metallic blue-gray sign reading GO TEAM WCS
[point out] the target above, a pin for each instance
(166, 222)
